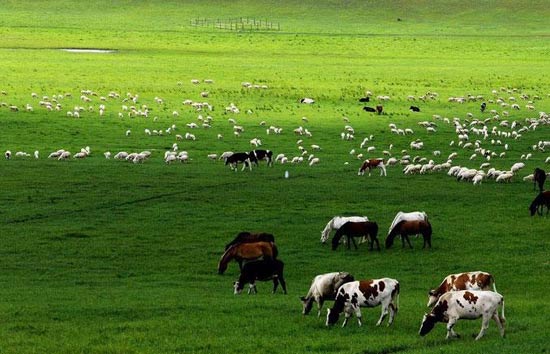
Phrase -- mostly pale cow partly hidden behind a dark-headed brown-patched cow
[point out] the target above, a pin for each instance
(324, 287)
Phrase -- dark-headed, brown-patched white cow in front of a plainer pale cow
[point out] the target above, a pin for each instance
(365, 293)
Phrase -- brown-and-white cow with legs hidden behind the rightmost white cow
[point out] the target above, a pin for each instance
(462, 281)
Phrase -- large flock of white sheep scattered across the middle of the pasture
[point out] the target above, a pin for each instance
(485, 140)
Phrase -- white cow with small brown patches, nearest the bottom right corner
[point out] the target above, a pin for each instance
(465, 304)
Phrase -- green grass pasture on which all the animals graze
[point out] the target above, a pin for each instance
(107, 256)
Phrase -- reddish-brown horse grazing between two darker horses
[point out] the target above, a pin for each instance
(247, 251)
